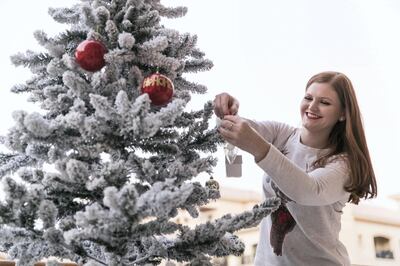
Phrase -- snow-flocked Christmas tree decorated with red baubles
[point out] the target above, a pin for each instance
(98, 175)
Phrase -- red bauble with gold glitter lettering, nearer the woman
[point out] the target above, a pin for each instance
(159, 88)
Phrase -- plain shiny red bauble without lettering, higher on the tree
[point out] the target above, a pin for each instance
(90, 55)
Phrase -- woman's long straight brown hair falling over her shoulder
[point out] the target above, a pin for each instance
(348, 138)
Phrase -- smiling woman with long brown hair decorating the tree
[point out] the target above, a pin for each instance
(314, 169)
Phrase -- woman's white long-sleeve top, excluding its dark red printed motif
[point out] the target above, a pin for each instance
(318, 199)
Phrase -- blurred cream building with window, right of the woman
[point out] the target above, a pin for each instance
(372, 234)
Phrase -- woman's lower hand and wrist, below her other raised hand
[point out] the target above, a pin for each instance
(238, 132)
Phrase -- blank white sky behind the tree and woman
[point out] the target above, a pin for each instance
(264, 52)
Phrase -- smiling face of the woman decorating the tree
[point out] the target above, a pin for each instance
(320, 108)
